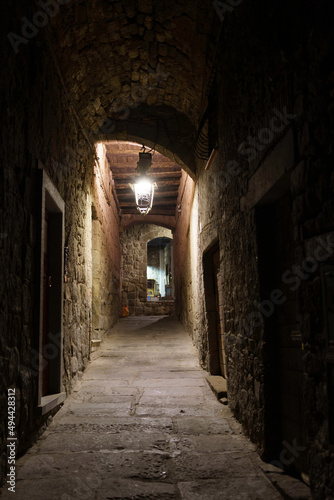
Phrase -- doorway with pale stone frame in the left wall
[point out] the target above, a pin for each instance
(51, 272)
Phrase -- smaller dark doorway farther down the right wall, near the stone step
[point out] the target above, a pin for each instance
(214, 306)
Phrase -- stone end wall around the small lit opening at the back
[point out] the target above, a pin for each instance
(134, 270)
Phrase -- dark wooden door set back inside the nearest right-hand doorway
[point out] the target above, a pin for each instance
(289, 339)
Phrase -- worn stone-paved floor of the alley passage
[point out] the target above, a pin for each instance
(143, 424)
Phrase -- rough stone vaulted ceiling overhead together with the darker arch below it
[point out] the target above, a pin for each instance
(143, 67)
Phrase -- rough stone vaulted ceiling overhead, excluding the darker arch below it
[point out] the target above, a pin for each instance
(106, 50)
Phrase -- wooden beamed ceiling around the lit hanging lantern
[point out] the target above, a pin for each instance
(123, 158)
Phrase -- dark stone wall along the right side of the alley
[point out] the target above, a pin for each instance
(304, 159)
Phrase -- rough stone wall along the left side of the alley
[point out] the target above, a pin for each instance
(41, 130)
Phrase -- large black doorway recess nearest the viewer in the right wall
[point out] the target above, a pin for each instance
(283, 383)
